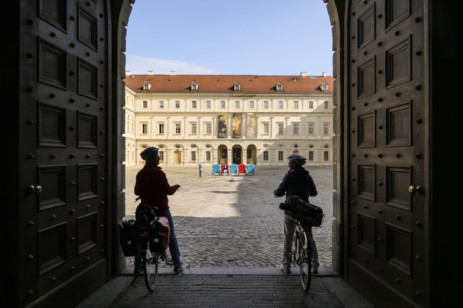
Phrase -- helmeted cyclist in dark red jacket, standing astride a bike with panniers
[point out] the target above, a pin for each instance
(153, 188)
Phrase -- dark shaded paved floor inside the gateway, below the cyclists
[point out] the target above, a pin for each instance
(230, 291)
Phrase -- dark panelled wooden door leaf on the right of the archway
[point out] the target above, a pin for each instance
(386, 201)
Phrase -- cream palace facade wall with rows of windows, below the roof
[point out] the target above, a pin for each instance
(177, 147)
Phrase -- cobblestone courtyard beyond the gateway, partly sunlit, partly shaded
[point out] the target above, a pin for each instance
(234, 221)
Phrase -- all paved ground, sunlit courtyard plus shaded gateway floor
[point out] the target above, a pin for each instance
(230, 236)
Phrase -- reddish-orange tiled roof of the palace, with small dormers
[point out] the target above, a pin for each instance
(224, 83)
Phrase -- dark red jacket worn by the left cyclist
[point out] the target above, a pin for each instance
(152, 187)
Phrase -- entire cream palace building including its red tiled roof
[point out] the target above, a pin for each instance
(229, 118)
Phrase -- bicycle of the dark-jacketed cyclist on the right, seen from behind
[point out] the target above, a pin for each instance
(302, 254)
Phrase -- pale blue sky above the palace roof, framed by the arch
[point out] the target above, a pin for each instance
(244, 37)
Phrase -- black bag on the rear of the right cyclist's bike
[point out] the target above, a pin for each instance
(309, 215)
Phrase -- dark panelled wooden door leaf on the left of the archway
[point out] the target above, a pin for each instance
(64, 111)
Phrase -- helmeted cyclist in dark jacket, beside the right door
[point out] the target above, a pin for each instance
(297, 181)
